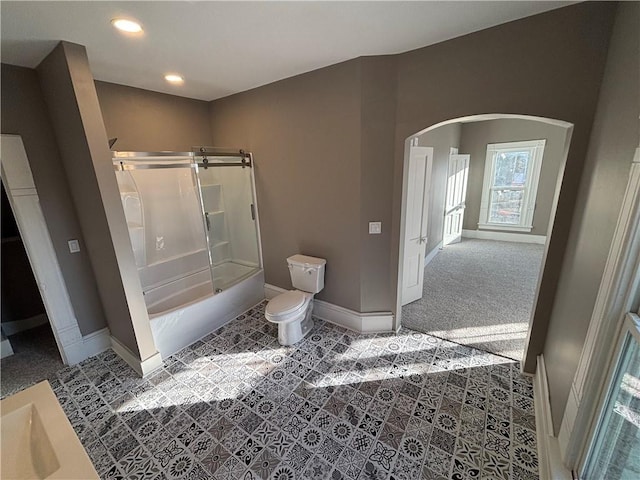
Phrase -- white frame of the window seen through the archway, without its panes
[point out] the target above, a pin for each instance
(530, 189)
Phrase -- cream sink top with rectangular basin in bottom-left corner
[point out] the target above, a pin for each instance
(37, 439)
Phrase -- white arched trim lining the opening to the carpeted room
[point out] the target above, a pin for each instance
(397, 318)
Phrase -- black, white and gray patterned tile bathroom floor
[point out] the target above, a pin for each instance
(338, 405)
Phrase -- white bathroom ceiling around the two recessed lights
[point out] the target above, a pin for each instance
(226, 47)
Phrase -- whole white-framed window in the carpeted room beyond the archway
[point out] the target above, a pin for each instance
(511, 174)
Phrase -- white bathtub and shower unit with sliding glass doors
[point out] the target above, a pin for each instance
(193, 223)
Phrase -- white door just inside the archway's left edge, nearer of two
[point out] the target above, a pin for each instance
(418, 188)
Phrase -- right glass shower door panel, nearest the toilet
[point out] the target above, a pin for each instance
(226, 186)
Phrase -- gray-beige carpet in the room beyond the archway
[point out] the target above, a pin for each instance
(479, 293)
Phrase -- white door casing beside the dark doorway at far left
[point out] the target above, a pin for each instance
(25, 204)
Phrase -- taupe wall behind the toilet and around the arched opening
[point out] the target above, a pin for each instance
(315, 191)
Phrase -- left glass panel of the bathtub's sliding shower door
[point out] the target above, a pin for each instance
(162, 206)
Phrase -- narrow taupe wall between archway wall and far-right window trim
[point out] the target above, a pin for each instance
(611, 148)
